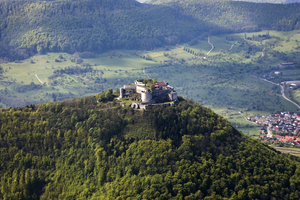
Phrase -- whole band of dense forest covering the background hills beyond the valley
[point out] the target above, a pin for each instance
(29, 27)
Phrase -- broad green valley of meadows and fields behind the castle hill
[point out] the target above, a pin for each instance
(220, 81)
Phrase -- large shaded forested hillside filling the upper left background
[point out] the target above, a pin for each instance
(92, 25)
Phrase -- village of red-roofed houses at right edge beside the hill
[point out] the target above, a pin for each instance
(283, 127)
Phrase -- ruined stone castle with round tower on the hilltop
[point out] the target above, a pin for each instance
(149, 93)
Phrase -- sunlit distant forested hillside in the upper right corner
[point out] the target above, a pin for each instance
(226, 15)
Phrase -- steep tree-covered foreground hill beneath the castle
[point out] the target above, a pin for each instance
(81, 149)
